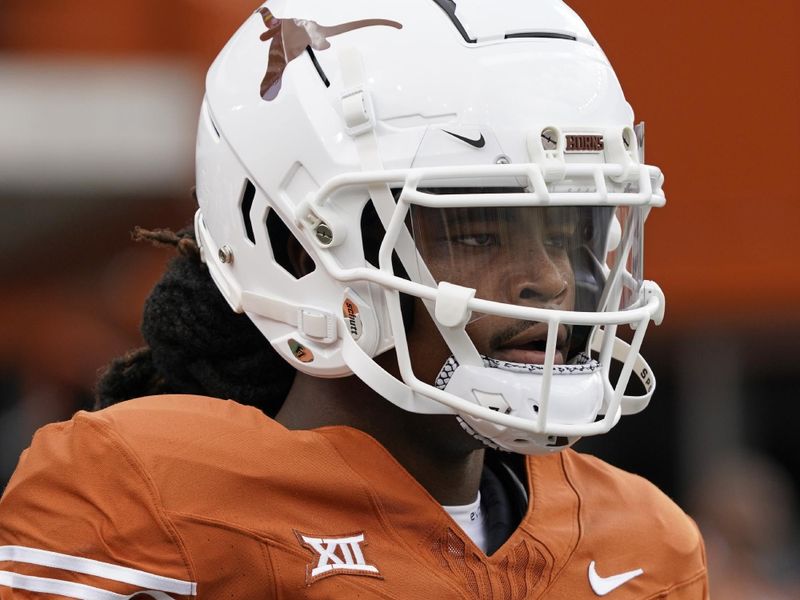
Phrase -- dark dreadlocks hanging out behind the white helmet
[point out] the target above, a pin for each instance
(195, 343)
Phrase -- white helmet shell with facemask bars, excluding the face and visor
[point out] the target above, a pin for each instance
(315, 108)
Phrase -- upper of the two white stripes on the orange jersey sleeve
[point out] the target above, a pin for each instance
(96, 568)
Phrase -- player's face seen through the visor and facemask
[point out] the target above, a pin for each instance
(519, 256)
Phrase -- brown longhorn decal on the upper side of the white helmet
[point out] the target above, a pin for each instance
(291, 37)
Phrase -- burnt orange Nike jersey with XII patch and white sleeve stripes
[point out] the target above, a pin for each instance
(189, 497)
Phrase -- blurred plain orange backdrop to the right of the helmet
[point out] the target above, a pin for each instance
(718, 84)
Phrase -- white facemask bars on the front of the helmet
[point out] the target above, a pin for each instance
(320, 209)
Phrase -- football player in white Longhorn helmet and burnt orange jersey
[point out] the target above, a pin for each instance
(433, 211)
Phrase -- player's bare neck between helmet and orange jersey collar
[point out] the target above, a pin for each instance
(432, 448)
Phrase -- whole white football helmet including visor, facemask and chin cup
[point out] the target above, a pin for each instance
(493, 147)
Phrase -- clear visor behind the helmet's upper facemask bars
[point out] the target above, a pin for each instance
(567, 258)
